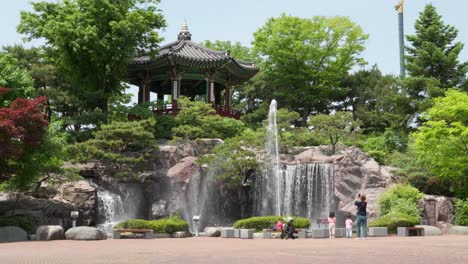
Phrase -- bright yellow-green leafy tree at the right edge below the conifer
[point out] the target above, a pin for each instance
(441, 143)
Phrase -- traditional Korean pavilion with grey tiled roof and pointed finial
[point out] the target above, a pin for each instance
(184, 68)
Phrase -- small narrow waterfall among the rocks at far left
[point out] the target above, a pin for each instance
(110, 208)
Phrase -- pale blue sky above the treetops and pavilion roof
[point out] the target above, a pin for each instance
(237, 20)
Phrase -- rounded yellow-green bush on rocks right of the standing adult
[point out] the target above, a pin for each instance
(401, 198)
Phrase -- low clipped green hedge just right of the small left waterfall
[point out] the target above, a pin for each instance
(165, 225)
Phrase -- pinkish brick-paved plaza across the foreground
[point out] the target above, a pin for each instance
(441, 249)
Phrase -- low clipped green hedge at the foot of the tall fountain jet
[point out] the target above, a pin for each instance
(261, 222)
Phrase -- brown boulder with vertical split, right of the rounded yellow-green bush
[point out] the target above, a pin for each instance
(437, 209)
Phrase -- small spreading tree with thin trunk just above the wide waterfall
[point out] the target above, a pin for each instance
(334, 127)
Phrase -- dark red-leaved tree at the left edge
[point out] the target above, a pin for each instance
(22, 129)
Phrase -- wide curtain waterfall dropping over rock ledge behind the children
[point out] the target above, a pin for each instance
(306, 190)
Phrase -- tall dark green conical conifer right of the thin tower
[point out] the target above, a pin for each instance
(433, 52)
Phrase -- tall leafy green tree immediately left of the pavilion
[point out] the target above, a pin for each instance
(93, 41)
